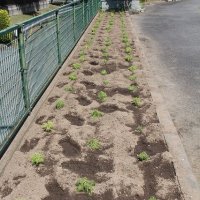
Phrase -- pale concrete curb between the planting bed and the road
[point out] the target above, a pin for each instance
(187, 181)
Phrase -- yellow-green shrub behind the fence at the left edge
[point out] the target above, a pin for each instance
(5, 23)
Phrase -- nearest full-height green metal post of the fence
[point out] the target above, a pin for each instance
(24, 68)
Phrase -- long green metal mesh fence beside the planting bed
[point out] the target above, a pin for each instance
(30, 55)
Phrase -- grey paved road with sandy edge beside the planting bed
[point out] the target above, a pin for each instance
(170, 33)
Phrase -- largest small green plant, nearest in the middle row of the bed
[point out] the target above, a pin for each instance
(85, 185)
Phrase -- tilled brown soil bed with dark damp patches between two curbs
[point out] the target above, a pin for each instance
(124, 130)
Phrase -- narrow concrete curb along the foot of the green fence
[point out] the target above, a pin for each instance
(20, 137)
